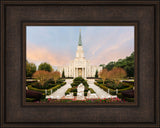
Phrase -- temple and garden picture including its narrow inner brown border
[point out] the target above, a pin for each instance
(61, 77)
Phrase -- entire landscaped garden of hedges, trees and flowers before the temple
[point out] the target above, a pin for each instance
(45, 82)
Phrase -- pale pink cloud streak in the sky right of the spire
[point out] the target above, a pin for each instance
(112, 53)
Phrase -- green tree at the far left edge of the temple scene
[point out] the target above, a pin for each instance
(30, 69)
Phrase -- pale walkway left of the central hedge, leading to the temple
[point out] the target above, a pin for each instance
(61, 91)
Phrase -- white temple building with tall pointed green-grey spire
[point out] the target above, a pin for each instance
(79, 66)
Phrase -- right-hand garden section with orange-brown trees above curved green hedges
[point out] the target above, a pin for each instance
(111, 82)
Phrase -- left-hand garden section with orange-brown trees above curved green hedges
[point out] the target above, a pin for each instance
(44, 84)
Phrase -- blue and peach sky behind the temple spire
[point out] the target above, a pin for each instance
(57, 45)
